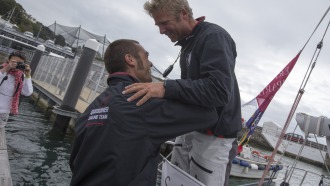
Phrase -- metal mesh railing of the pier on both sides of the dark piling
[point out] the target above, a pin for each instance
(55, 74)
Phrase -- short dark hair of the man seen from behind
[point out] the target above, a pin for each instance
(114, 57)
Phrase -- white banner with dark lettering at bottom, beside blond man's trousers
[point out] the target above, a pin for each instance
(174, 176)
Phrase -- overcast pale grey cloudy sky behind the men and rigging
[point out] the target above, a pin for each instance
(268, 35)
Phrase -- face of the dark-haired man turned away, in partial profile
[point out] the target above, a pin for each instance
(143, 72)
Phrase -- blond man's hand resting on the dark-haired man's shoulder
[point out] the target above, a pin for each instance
(147, 90)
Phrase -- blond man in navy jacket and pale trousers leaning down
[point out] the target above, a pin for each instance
(207, 61)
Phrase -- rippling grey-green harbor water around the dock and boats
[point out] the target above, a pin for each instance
(38, 157)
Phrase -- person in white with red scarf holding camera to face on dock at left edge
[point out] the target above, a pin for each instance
(15, 79)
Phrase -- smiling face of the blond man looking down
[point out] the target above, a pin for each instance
(171, 26)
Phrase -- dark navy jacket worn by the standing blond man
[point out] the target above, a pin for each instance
(208, 79)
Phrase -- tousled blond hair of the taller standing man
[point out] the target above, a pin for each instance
(173, 6)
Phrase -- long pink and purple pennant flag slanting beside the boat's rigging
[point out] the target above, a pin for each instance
(265, 97)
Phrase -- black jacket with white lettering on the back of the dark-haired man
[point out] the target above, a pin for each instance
(117, 143)
